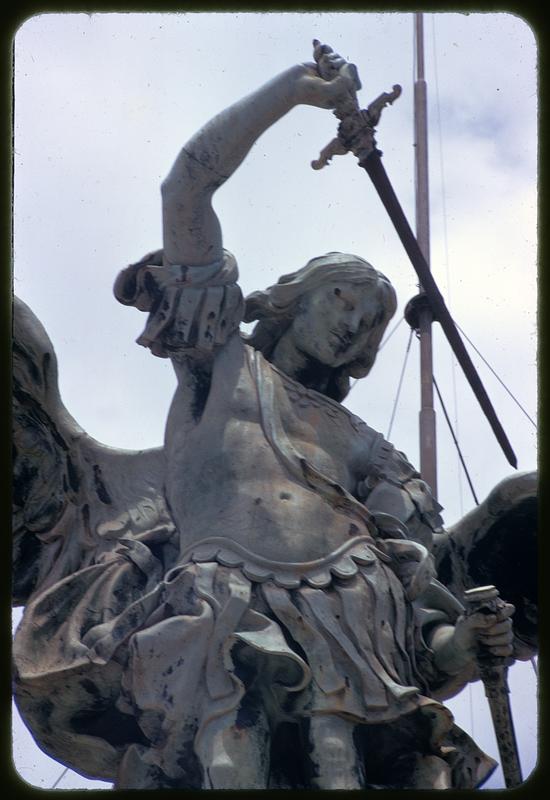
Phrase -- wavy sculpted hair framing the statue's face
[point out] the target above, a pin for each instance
(276, 307)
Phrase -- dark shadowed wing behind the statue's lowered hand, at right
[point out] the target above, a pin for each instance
(496, 544)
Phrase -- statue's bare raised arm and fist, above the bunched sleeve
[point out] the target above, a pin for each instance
(191, 230)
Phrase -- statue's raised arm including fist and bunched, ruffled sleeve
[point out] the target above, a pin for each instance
(193, 310)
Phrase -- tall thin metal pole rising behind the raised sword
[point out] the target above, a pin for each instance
(427, 422)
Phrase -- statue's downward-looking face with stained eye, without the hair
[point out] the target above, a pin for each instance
(334, 322)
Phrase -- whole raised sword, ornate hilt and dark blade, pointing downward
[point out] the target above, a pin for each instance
(356, 134)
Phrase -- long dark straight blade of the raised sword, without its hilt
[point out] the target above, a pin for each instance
(377, 173)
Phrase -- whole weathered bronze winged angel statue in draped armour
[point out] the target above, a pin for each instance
(269, 600)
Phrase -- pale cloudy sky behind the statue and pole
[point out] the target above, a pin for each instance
(103, 104)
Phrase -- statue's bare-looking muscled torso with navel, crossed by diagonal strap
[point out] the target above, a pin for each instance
(226, 480)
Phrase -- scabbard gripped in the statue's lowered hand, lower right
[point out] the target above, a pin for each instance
(493, 671)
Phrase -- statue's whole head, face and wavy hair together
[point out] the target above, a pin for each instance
(335, 310)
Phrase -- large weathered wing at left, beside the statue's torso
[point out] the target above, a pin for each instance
(74, 499)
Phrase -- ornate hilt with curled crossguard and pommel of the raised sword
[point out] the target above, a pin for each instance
(357, 126)
